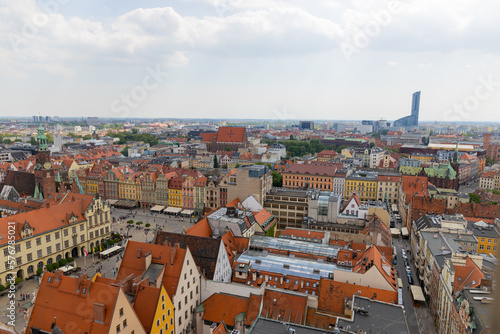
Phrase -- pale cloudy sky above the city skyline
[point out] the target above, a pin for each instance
(263, 59)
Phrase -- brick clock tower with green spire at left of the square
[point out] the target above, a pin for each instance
(44, 173)
